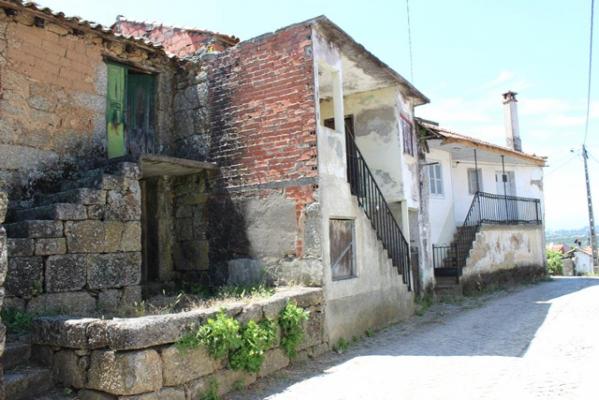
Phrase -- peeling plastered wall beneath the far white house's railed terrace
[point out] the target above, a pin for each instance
(503, 254)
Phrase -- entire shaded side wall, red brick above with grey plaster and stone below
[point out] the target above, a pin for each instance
(251, 110)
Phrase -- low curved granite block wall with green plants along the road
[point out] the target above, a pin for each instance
(136, 358)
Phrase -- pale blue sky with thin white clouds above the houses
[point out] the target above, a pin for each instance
(466, 53)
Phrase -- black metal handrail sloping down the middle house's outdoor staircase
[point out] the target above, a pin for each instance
(371, 200)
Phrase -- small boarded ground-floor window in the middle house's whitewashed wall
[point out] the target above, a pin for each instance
(341, 236)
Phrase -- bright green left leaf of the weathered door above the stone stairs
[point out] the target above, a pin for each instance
(115, 110)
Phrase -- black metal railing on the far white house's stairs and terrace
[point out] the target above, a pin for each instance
(486, 208)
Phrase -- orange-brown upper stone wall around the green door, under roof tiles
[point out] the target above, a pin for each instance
(53, 105)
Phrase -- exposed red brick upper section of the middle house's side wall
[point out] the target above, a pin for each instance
(263, 117)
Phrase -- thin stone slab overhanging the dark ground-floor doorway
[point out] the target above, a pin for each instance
(152, 165)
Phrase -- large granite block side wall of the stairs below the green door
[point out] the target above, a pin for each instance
(87, 259)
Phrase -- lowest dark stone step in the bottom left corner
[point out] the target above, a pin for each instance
(27, 383)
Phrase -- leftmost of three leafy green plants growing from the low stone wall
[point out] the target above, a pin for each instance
(220, 335)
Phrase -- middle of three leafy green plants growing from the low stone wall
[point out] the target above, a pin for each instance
(256, 338)
